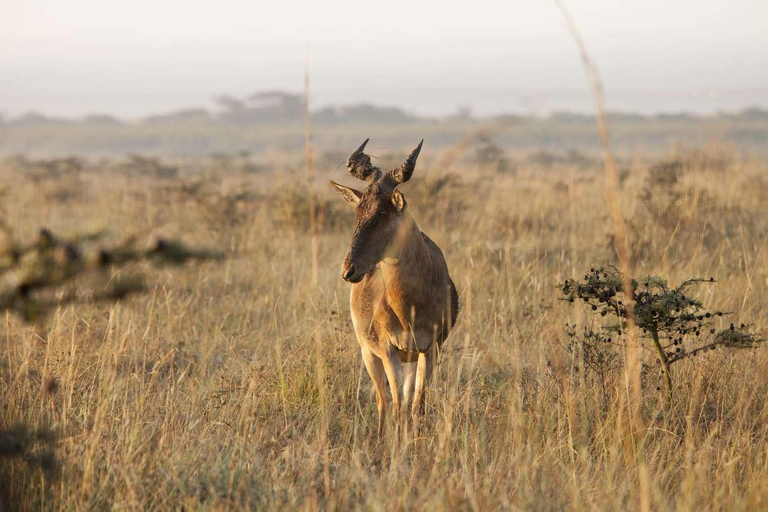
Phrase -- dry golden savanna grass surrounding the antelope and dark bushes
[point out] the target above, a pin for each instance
(239, 383)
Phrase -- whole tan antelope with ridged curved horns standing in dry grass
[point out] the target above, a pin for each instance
(403, 301)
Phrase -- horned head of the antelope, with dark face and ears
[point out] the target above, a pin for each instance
(379, 212)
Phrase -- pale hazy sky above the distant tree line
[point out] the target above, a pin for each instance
(148, 56)
